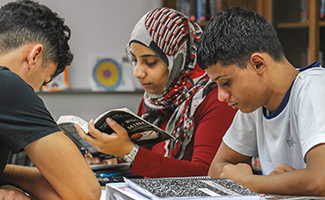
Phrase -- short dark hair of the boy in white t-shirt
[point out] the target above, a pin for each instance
(233, 35)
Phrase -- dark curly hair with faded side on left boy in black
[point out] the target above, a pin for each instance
(24, 22)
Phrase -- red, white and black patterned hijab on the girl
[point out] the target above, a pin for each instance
(173, 37)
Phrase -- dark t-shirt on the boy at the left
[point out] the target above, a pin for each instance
(23, 116)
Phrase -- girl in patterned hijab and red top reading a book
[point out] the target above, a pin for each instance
(179, 98)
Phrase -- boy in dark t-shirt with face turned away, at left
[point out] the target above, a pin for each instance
(33, 49)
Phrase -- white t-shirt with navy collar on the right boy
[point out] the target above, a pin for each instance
(288, 133)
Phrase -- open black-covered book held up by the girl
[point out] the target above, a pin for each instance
(140, 131)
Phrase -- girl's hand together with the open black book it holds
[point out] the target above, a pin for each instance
(115, 136)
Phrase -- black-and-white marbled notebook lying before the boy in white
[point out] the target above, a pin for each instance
(190, 188)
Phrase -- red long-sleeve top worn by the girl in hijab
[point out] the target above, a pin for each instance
(211, 120)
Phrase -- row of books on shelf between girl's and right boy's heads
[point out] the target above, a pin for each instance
(199, 10)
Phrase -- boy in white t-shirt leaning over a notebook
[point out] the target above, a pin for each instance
(282, 109)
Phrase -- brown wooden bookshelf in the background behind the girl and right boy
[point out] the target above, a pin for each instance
(303, 40)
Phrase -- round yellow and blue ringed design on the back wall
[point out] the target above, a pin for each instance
(107, 74)
